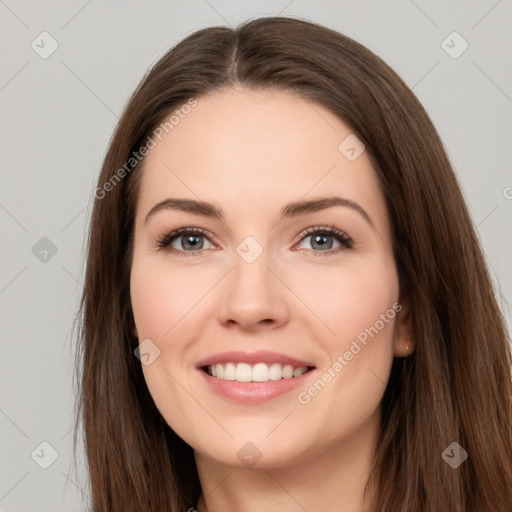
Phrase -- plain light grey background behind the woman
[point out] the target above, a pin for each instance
(57, 116)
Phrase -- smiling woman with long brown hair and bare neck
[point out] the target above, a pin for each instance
(286, 306)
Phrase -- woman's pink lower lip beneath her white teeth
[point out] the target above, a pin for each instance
(253, 392)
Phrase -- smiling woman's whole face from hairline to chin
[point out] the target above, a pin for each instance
(289, 269)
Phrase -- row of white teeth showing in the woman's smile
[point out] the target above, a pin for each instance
(261, 372)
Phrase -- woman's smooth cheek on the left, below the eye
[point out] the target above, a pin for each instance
(169, 309)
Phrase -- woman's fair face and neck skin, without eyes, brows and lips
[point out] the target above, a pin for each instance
(250, 153)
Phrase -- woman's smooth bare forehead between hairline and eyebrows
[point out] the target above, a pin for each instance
(257, 149)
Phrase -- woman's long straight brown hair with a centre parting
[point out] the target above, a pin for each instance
(457, 385)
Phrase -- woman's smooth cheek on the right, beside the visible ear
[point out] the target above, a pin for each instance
(358, 305)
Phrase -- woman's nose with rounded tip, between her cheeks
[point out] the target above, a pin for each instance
(253, 299)
